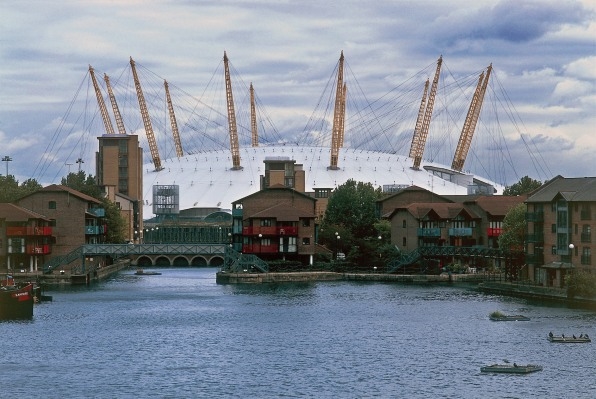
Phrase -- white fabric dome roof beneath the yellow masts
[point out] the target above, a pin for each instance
(207, 179)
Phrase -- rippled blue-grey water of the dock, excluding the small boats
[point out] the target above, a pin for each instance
(180, 335)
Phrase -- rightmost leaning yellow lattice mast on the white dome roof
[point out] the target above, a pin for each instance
(465, 139)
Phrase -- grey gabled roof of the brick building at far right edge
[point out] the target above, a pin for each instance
(576, 189)
